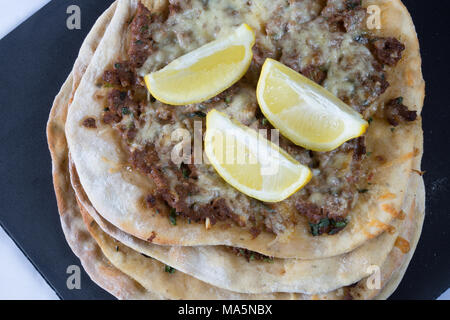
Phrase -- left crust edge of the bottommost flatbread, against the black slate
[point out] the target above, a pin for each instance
(82, 244)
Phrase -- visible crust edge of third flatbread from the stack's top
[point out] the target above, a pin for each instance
(150, 272)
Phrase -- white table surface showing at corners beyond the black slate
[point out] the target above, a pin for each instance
(18, 278)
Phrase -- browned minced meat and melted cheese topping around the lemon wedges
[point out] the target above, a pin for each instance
(324, 40)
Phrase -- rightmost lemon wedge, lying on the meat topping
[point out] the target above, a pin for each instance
(306, 113)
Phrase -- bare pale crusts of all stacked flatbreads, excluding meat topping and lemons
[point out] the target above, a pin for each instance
(135, 253)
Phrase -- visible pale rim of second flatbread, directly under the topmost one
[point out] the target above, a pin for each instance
(218, 266)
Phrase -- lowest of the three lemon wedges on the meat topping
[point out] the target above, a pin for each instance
(251, 163)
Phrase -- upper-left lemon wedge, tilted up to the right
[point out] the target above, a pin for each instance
(204, 72)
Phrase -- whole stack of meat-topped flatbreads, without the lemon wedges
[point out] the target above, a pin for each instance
(384, 107)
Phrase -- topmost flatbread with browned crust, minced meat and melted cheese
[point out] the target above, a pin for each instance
(122, 162)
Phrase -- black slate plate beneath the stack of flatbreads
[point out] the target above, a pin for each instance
(36, 59)
